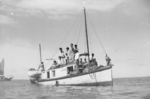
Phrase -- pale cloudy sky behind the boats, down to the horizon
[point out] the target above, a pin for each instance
(123, 27)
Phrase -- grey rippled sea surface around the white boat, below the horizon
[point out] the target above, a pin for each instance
(124, 88)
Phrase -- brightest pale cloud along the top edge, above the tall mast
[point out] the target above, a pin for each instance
(63, 5)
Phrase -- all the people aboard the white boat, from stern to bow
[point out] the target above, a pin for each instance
(71, 55)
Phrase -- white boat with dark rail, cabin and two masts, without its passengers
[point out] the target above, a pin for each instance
(72, 74)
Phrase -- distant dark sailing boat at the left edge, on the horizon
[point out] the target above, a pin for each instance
(2, 77)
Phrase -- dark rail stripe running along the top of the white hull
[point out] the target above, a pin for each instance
(75, 75)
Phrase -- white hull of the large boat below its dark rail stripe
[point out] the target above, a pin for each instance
(98, 78)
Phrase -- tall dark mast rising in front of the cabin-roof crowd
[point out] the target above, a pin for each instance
(86, 32)
